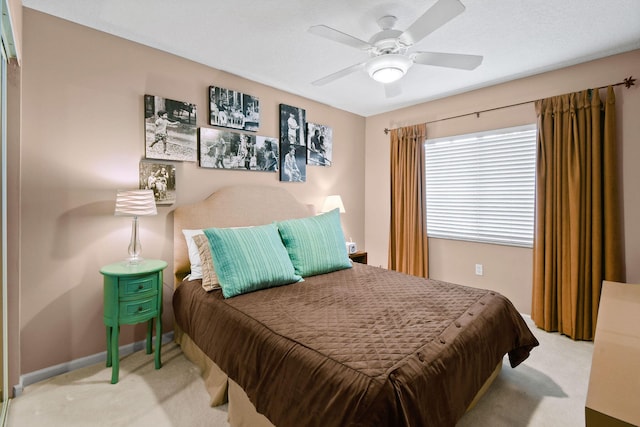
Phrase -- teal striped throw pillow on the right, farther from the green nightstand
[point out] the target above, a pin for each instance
(315, 244)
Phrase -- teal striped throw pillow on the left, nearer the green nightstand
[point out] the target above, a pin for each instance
(249, 258)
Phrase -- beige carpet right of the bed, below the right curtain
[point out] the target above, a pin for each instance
(549, 389)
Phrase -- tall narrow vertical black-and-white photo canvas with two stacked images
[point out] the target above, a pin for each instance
(293, 147)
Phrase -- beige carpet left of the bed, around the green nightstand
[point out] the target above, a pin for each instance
(171, 396)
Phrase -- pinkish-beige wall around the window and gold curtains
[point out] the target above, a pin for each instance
(507, 270)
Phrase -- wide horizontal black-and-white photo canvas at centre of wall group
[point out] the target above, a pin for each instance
(220, 149)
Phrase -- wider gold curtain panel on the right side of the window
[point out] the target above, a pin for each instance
(577, 241)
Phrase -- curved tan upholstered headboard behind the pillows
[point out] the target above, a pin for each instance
(234, 206)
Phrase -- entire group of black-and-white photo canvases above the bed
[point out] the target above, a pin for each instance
(171, 134)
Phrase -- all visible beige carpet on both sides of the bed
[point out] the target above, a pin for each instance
(548, 389)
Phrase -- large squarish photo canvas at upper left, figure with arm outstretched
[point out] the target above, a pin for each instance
(170, 129)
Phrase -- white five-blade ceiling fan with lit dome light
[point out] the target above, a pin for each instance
(390, 59)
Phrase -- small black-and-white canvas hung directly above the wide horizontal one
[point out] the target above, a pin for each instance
(231, 109)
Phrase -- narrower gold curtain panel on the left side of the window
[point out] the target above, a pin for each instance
(408, 250)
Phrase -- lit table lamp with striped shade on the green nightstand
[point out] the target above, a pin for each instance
(135, 203)
